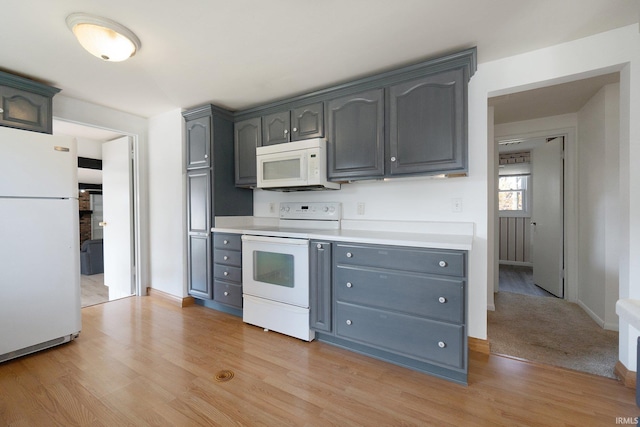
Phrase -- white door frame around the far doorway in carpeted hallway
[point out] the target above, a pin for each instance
(570, 214)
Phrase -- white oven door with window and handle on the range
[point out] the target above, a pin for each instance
(276, 269)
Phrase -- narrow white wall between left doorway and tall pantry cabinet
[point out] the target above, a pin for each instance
(167, 255)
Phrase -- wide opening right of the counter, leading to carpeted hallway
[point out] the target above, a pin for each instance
(557, 338)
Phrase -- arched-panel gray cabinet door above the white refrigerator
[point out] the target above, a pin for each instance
(25, 110)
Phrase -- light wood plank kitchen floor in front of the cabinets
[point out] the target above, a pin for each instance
(141, 361)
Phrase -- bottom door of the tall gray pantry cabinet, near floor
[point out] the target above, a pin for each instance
(199, 266)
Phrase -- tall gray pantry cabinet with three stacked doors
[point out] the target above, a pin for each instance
(210, 189)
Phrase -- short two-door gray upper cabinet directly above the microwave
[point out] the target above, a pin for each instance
(294, 125)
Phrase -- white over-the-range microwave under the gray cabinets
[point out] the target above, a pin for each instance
(294, 166)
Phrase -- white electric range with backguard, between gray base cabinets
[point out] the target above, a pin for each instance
(275, 267)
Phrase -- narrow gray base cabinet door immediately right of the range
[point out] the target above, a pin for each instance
(320, 286)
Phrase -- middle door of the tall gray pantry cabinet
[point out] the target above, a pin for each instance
(199, 201)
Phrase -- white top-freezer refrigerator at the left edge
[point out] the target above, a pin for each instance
(39, 242)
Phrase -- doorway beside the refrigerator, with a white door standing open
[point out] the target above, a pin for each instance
(113, 153)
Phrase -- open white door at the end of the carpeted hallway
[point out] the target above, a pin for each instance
(547, 213)
